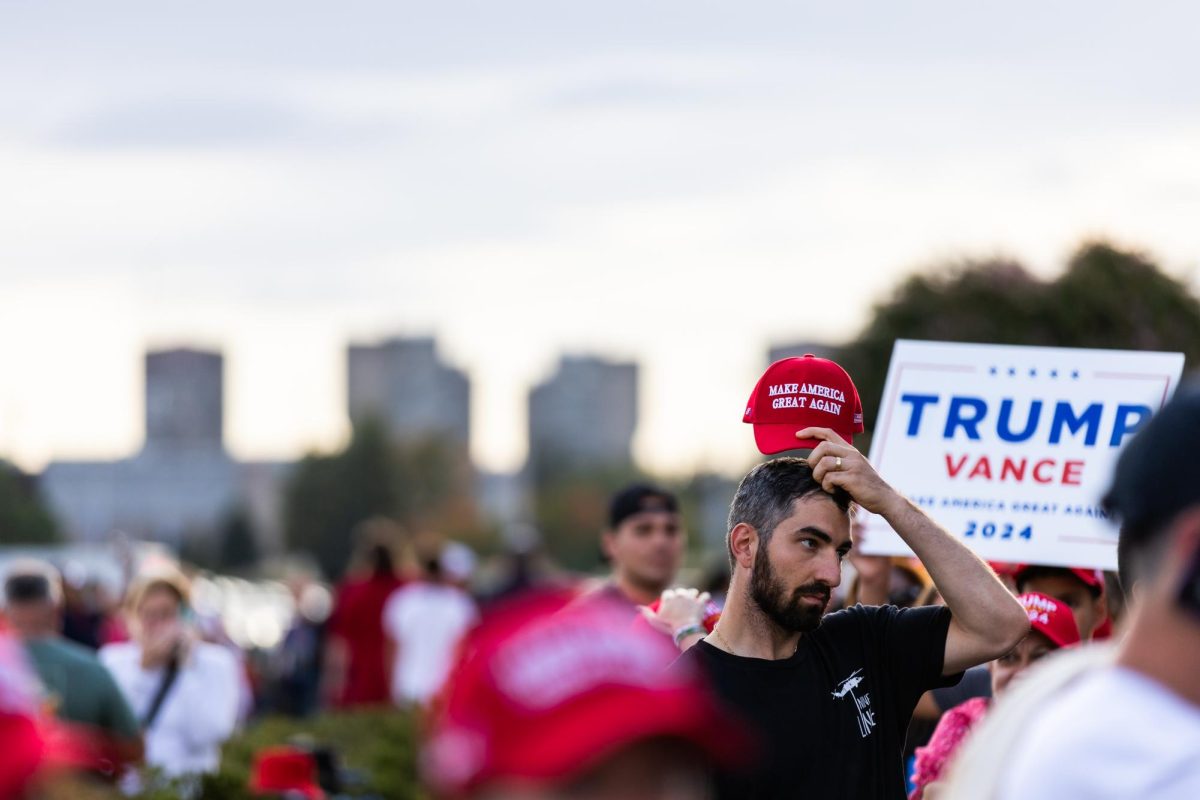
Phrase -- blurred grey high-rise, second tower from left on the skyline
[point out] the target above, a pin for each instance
(405, 384)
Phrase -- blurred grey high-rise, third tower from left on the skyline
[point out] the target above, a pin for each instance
(584, 416)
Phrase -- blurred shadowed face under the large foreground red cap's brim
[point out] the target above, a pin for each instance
(653, 771)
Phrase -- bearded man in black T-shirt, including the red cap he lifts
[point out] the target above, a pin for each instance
(832, 696)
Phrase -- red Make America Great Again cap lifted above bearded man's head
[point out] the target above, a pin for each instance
(797, 394)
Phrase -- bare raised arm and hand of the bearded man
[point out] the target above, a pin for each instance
(988, 622)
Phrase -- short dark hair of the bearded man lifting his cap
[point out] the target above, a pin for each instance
(766, 495)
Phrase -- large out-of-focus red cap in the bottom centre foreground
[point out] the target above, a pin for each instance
(544, 695)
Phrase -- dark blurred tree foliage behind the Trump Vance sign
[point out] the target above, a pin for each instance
(1107, 298)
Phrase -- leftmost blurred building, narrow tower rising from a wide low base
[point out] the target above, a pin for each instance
(183, 485)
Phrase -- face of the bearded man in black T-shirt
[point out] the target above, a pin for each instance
(795, 575)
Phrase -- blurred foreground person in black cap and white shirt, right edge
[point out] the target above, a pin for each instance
(1132, 729)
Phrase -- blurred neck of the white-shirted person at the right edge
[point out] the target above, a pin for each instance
(1161, 647)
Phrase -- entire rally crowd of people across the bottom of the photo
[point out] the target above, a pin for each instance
(921, 678)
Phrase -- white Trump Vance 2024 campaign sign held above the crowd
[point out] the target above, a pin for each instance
(1011, 448)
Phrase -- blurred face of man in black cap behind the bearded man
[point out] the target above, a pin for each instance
(647, 549)
